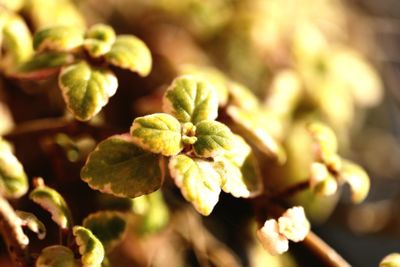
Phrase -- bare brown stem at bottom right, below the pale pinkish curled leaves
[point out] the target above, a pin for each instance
(322, 250)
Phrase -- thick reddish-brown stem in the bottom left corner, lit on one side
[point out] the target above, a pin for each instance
(11, 230)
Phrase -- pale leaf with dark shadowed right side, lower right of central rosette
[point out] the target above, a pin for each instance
(239, 171)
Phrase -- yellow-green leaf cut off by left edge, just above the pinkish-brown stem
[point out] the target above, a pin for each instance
(13, 180)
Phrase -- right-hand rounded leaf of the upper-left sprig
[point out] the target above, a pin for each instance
(129, 52)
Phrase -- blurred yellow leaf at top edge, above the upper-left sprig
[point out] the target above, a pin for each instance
(47, 13)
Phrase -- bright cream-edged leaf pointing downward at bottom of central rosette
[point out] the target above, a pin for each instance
(198, 180)
